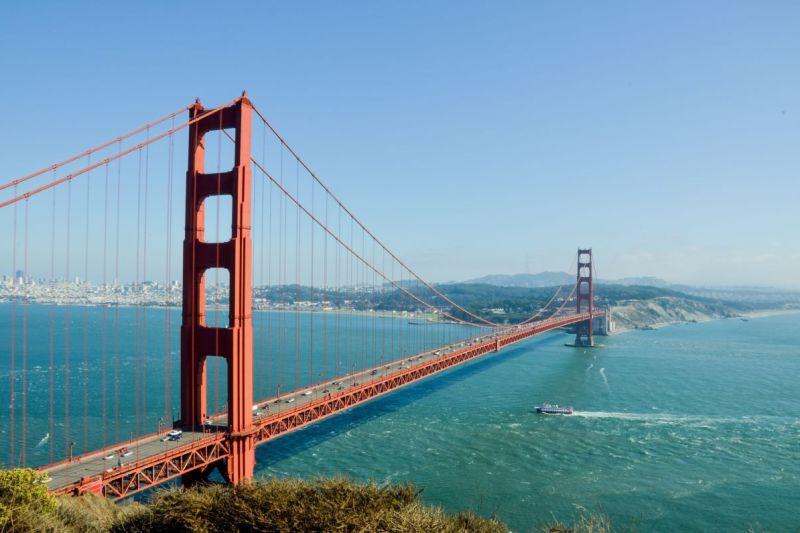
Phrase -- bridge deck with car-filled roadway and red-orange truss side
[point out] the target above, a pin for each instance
(153, 459)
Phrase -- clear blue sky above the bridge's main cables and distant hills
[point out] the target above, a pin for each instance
(472, 137)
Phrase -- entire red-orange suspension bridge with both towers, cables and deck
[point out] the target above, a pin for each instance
(292, 310)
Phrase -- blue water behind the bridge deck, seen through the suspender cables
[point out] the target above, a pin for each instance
(126, 357)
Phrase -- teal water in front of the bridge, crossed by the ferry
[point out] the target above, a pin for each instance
(693, 427)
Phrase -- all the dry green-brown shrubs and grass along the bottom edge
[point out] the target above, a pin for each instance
(287, 505)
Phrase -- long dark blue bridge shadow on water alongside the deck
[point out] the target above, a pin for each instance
(288, 445)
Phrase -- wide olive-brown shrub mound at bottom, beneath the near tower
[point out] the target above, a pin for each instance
(298, 506)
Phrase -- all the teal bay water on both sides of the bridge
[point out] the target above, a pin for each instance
(691, 427)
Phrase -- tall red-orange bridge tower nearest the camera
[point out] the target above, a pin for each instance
(199, 341)
